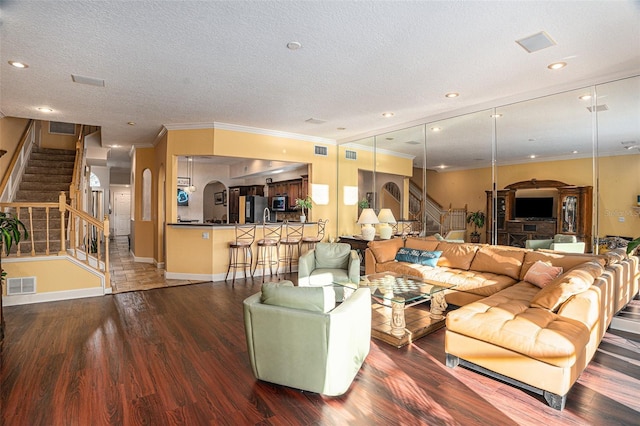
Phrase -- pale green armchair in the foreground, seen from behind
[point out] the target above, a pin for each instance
(295, 338)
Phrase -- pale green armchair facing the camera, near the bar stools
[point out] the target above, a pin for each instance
(327, 263)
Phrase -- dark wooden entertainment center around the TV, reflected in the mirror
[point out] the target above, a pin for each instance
(573, 214)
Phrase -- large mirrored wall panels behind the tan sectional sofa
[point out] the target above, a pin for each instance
(566, 163)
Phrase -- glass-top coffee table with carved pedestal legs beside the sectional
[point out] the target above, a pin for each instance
(392, 296)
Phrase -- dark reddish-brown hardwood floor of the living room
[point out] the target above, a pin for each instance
(178, 356)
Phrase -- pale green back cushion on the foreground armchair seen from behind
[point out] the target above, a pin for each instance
(316, 299)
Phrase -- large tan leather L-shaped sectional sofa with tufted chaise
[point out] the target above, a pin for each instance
(537, 338)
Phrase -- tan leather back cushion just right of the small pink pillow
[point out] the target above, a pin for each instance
(562, 288)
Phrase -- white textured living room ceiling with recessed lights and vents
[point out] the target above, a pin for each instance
(173, 62)
